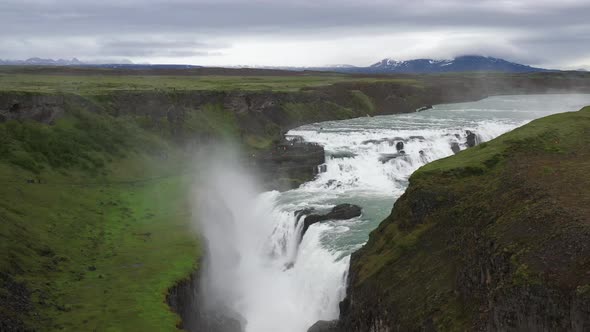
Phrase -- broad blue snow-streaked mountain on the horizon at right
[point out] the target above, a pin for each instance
(459, 64)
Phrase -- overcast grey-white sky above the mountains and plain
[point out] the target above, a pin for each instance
(549, 33)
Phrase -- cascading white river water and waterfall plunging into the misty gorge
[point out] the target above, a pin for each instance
(259, 269)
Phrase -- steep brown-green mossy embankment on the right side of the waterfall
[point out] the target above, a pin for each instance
(494, 238)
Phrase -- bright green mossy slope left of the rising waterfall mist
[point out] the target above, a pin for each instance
(95, 225)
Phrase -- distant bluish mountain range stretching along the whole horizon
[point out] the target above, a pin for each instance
(465, 63)
